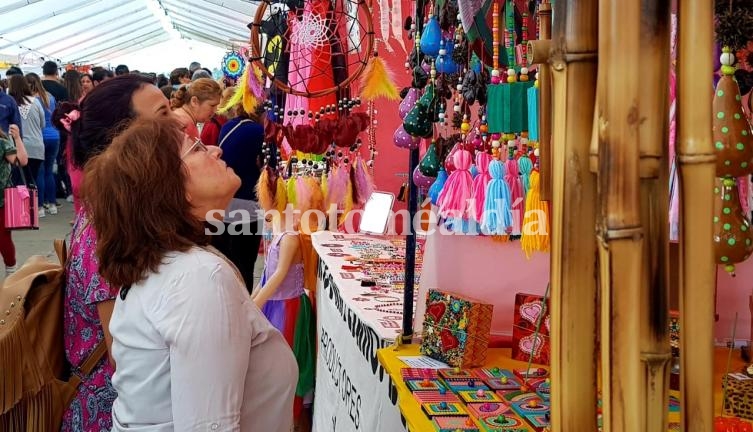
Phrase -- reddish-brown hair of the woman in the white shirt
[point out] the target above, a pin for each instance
(135, 194)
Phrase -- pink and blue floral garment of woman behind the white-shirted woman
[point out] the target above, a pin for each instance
(91, 410)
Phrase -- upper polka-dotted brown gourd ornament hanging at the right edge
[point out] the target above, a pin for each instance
(732, 134)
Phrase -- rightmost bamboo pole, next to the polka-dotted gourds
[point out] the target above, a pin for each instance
(697, 170)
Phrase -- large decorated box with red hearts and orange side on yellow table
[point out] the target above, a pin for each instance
(456, 329)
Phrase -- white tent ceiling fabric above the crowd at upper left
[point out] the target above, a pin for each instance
(91, 31)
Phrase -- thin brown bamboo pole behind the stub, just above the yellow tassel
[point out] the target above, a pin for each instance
(545, 107)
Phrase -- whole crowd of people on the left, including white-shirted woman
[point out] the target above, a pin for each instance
(144, 164)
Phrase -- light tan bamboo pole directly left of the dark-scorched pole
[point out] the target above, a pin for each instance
(620, 232)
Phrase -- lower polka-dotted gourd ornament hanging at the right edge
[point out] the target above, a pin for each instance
(733, 239)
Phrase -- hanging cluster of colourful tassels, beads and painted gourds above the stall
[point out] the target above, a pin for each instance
(467, 142)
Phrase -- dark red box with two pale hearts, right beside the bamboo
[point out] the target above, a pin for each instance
(525, 342)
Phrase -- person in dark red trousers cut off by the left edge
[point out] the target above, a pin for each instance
(13, 151)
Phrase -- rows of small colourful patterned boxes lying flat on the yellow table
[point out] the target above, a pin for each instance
(473, 404)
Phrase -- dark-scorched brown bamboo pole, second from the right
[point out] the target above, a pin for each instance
(654, 173)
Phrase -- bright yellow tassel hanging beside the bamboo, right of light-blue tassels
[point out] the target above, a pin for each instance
(535, 236)
